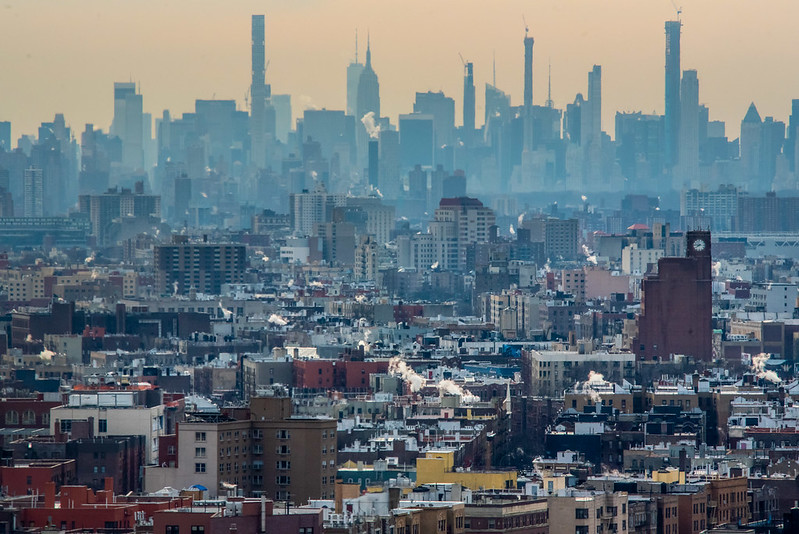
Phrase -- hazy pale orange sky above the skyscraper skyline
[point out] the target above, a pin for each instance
(64, 55)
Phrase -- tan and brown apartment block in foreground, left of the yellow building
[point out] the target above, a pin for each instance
(271, 452)
